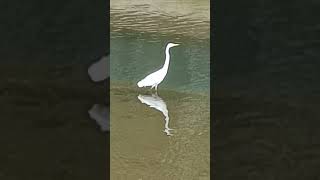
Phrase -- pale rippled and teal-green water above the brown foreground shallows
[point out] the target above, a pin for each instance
(140, 32)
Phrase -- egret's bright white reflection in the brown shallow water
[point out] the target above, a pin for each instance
(156, 102)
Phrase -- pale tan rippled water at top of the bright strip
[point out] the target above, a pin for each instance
(166, 18)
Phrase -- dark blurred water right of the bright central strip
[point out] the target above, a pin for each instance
(266, 114)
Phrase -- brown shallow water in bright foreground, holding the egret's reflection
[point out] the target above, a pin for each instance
(141, 148)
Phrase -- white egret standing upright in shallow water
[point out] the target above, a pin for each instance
(155, 78)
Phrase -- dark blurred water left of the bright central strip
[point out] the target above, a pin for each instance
(45, 91)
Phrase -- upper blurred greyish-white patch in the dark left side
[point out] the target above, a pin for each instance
(99, 71)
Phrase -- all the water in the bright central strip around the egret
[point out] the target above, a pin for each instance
(164, 136)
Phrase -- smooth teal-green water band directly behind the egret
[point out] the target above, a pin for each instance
(134, 57)
